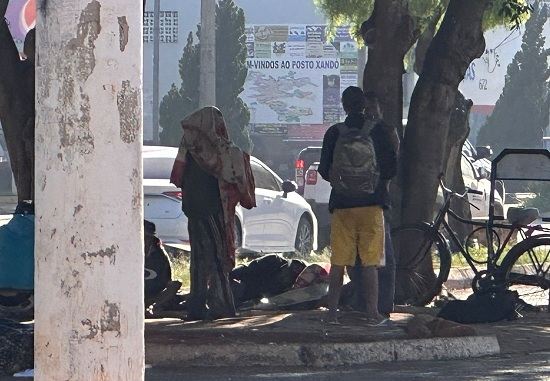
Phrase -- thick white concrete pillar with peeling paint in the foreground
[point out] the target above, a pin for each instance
(89, 218)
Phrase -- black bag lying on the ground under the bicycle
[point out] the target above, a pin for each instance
(486, 307)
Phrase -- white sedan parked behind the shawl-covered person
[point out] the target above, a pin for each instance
(282, 221)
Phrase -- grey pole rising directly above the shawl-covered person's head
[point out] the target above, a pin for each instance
(207, 81)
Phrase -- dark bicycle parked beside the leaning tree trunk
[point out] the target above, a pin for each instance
(526, 264)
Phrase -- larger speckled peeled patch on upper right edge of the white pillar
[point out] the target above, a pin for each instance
(128, 106)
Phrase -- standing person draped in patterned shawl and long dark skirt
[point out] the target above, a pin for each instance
(214, 176)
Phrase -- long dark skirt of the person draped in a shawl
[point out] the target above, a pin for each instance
(210, 296)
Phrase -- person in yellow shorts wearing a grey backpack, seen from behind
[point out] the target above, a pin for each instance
(358, 168)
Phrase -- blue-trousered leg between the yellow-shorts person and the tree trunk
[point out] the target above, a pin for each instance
(386, 276)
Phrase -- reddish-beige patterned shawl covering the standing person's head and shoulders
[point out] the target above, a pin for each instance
(205, 138)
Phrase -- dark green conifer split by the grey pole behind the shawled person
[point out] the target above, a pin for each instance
(231, 72)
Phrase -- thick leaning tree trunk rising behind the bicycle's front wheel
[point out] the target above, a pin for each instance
(424, 156)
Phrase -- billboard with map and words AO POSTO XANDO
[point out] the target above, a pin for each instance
(296, 77)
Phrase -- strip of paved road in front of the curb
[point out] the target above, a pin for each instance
(532, 367)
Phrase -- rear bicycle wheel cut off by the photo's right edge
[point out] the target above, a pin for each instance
(526, 269)
